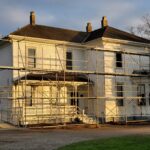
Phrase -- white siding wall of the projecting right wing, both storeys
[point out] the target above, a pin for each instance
(130, 63)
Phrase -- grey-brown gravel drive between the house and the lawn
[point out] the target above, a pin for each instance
(50, 139)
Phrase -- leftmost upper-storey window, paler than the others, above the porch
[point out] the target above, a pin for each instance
(31, 58)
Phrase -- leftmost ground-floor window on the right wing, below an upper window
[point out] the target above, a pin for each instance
(119, 94)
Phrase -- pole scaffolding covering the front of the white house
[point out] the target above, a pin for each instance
(98, 85)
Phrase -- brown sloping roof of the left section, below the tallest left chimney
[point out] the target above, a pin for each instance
(53, 33)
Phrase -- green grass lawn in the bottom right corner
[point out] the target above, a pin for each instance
(120, 143)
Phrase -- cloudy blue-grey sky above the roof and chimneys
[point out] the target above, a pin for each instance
(72, 14)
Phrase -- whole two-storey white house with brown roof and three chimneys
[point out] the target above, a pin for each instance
(52, 75)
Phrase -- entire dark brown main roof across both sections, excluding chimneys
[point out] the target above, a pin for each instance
(53, 33)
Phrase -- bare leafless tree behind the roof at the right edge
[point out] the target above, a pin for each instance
(142, 29)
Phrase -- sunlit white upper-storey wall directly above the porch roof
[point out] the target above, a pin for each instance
(48, 56)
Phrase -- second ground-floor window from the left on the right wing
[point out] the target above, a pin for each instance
(141, 93)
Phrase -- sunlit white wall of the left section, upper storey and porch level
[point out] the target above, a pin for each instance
(51, 57)
